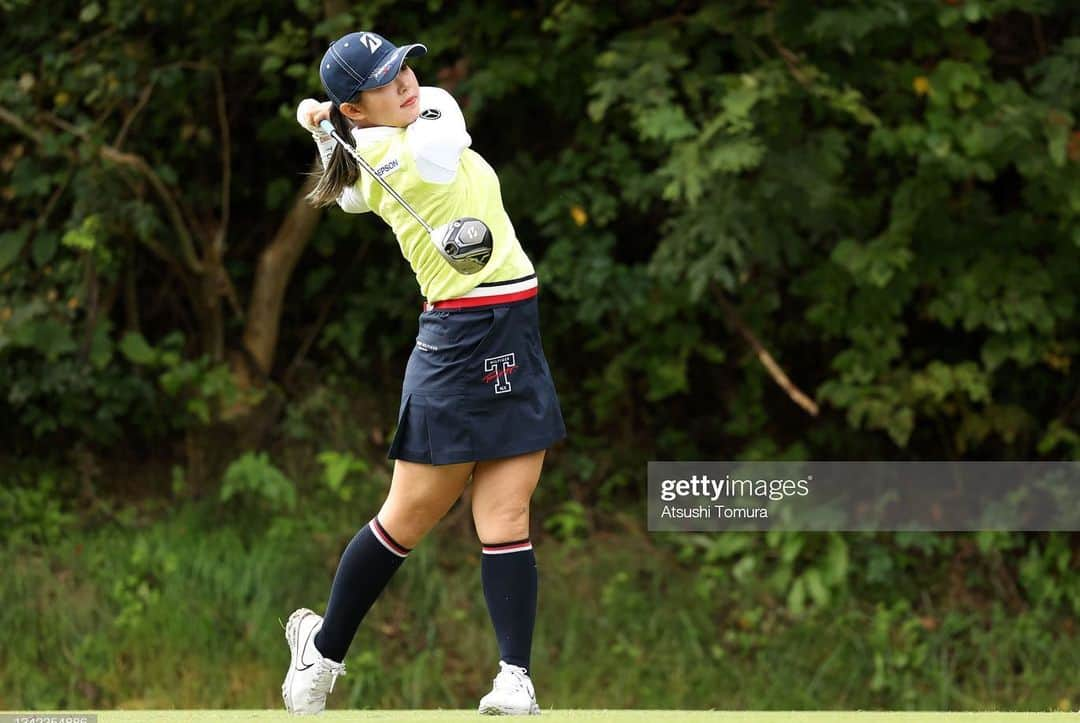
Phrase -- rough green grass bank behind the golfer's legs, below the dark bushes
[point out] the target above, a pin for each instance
(185, 614)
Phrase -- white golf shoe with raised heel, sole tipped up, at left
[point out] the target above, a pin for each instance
(310, 676)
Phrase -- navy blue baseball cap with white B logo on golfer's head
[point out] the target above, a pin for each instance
(361, 62)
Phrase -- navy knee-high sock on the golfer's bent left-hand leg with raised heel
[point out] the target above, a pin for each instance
(367, 566)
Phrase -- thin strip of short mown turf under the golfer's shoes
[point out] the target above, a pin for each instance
(584, 717)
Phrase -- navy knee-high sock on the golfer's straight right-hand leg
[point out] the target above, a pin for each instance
(509, 574)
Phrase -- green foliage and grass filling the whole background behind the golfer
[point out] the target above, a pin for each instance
(886, 196)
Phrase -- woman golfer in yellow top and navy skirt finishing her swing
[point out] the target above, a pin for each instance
(478, 399)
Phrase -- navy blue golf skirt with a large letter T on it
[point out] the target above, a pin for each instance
(477, 387)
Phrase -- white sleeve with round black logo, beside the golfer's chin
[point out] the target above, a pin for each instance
(439, 137)
